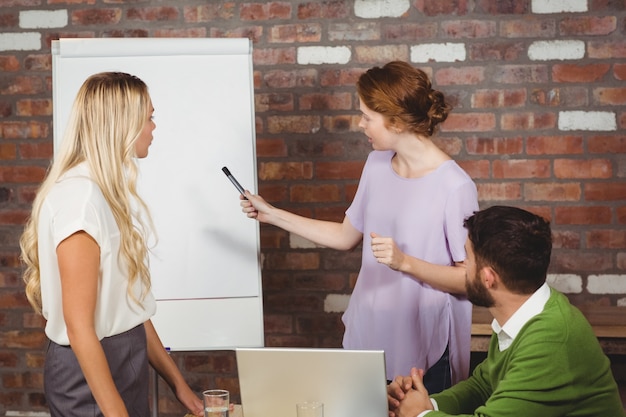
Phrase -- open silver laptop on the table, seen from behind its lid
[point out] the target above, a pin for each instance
(350, 383)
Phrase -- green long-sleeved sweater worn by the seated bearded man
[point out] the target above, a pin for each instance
(554, 367)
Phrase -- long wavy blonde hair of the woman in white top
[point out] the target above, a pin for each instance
(107, 117)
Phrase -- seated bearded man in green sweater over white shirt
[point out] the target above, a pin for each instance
(544, 359)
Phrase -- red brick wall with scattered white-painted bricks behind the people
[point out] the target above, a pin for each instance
(540, 110)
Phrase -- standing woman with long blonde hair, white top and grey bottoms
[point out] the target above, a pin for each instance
(86, 256)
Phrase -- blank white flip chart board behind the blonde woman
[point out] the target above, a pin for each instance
(205, 267)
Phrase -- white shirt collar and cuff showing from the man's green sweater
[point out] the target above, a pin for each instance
(507, 333)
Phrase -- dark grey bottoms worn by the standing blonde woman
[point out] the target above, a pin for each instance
(66, 389)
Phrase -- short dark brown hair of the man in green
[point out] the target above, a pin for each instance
(517, 244)
